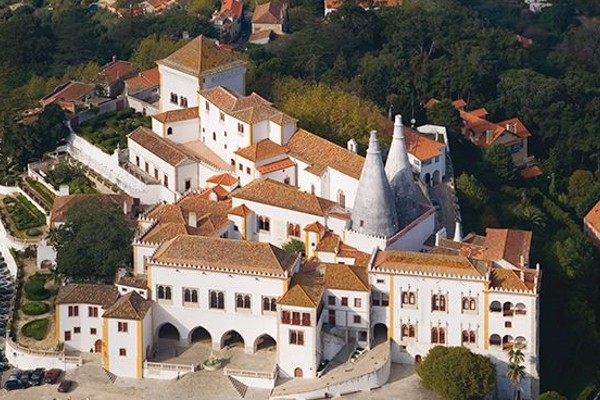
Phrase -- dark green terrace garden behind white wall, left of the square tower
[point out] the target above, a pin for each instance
(110, 130)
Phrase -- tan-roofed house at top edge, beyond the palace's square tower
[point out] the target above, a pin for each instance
(268, 21)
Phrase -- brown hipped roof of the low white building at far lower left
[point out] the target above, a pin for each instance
(87, 293)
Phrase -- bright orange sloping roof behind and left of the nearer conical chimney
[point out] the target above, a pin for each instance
(321, 153)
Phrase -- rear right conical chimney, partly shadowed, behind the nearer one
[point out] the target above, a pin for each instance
(400, 176)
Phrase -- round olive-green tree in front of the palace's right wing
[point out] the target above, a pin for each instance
(455, 373)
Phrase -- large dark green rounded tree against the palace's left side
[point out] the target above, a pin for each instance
(94, 241)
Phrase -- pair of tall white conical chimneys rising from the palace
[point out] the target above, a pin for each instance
(386, 197)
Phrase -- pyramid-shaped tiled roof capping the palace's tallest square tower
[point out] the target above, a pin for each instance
(200, 56)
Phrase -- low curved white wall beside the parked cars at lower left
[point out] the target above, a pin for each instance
(24, 358)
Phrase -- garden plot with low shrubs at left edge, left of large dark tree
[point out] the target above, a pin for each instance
(21, 217)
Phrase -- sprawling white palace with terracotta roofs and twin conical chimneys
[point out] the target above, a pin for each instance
(210, 266)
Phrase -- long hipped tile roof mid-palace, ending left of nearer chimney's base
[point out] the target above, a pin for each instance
(276, 194)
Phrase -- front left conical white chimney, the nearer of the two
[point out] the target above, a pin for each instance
(374, 212)
